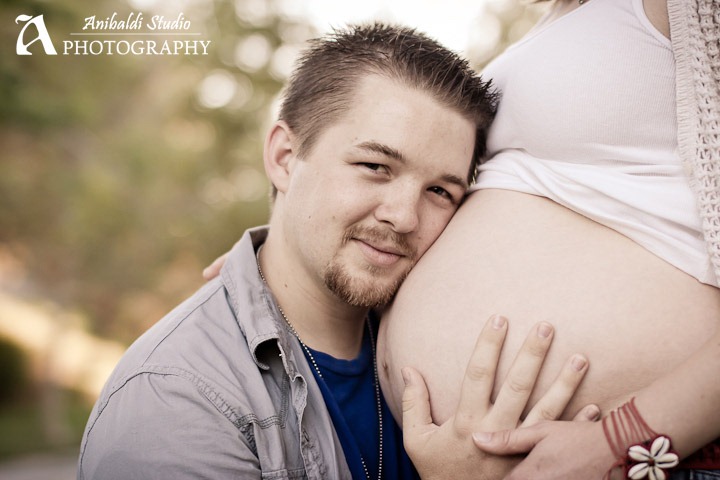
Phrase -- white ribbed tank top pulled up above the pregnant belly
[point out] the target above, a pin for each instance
(587, 119)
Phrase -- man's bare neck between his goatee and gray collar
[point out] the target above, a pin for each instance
(322, 321)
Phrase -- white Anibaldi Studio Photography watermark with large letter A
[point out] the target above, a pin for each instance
(114, 35)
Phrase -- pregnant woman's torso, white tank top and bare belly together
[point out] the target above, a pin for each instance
(634, 314)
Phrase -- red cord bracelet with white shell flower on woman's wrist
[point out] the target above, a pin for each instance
(640, 452)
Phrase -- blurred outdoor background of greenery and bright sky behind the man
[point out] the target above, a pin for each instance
(122, 176)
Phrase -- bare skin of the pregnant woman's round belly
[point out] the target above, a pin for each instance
(632, 314)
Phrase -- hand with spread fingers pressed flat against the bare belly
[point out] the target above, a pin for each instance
(447, 450)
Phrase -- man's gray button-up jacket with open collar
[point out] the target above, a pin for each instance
(217, 389)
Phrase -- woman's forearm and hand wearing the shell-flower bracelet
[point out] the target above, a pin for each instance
(682, 405)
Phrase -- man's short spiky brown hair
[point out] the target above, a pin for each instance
(322, 86)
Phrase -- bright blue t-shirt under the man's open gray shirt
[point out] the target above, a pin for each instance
(348, 388)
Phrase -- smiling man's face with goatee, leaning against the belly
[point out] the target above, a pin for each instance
(377, 189)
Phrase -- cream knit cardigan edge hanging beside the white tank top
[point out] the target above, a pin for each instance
(695, 35)
